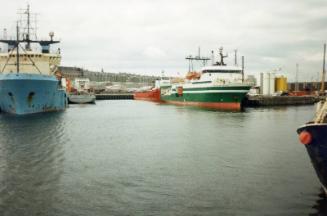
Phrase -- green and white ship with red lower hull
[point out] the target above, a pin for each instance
(217, 86)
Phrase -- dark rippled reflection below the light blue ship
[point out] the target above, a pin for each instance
(31, 155)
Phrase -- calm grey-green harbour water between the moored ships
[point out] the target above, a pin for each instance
(140, 158)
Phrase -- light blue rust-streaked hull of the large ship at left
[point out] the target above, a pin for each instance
(30, 93)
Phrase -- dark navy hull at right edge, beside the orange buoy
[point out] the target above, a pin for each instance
(317, 149)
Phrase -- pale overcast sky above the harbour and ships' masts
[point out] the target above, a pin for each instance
(148, 36)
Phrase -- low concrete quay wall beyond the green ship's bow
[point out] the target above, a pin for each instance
(263, 100)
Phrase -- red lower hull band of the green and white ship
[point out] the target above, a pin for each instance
(220, 106)
